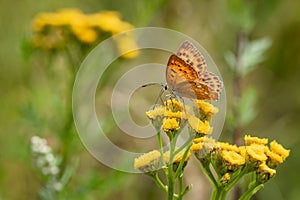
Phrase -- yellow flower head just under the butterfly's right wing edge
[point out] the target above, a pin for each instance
(205, 110)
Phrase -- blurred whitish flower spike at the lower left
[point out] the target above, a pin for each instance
(46, 161)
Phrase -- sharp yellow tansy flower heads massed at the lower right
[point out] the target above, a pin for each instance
(231, 162)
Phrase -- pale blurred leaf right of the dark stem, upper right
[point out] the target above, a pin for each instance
(253, 54)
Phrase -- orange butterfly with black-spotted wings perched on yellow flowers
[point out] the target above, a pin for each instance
(187, 75)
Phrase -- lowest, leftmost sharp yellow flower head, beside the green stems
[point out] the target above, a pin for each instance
(147, 162)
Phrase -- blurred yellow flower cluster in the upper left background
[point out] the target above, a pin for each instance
(54, 30)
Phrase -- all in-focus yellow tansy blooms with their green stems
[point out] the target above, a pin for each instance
(224, 164)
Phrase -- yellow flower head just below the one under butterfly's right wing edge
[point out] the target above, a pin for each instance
(200, 127)
